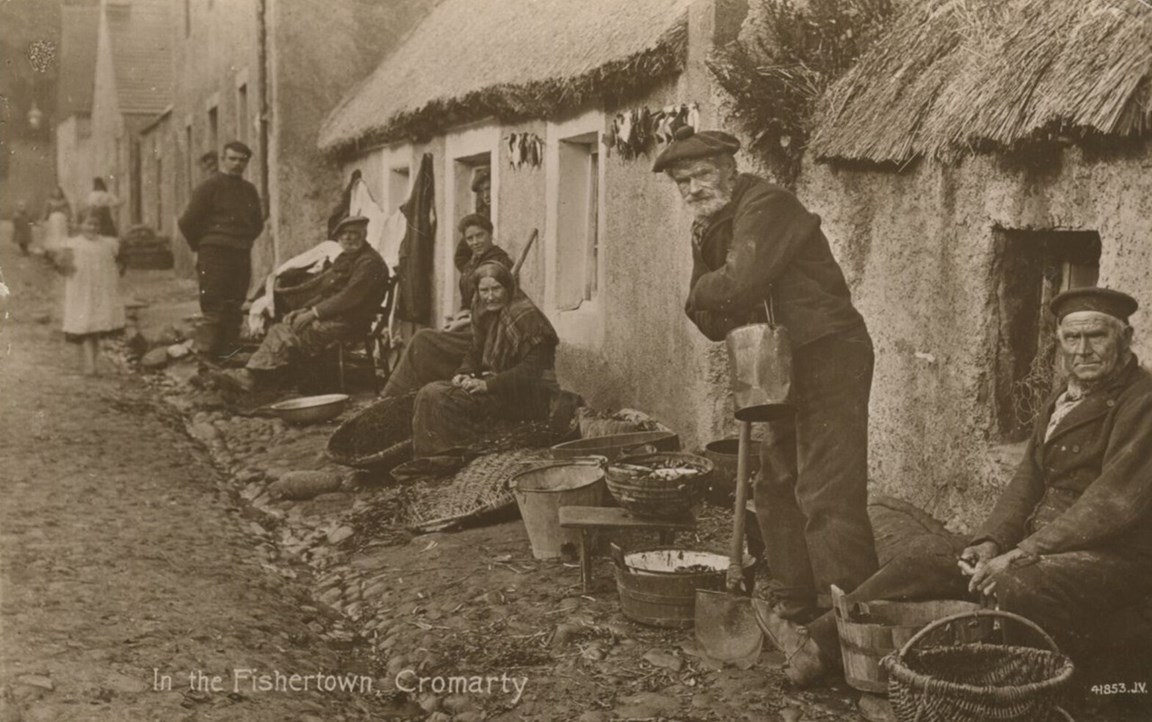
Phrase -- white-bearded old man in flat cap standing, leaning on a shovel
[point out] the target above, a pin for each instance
(754, 245)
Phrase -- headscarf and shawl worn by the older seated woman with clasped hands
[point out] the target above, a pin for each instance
(505, 337)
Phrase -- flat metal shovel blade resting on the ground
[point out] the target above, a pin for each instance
(726, 628)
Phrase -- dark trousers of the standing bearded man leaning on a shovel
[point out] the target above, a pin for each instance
(812, 493)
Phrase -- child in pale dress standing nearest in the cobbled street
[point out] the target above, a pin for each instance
(94, 309)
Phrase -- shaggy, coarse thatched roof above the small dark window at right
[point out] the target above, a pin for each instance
(957, 75)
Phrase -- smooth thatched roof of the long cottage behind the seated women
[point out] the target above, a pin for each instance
(512, 59)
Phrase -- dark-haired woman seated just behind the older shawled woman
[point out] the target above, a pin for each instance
(434, 355)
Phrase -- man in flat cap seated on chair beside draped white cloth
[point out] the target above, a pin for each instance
(354, 290)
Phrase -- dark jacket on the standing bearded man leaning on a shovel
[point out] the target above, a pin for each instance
(767, 240)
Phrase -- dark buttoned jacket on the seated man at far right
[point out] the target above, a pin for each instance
(1089, 485)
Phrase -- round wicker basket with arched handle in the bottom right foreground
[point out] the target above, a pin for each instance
(976, 682)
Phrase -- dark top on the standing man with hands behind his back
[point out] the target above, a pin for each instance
(225, 210)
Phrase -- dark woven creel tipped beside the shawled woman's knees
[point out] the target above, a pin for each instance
(377, 439)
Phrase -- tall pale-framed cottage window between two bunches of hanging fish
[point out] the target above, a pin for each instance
(578, 222)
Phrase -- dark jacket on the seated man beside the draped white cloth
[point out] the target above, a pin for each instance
(354, 288)
